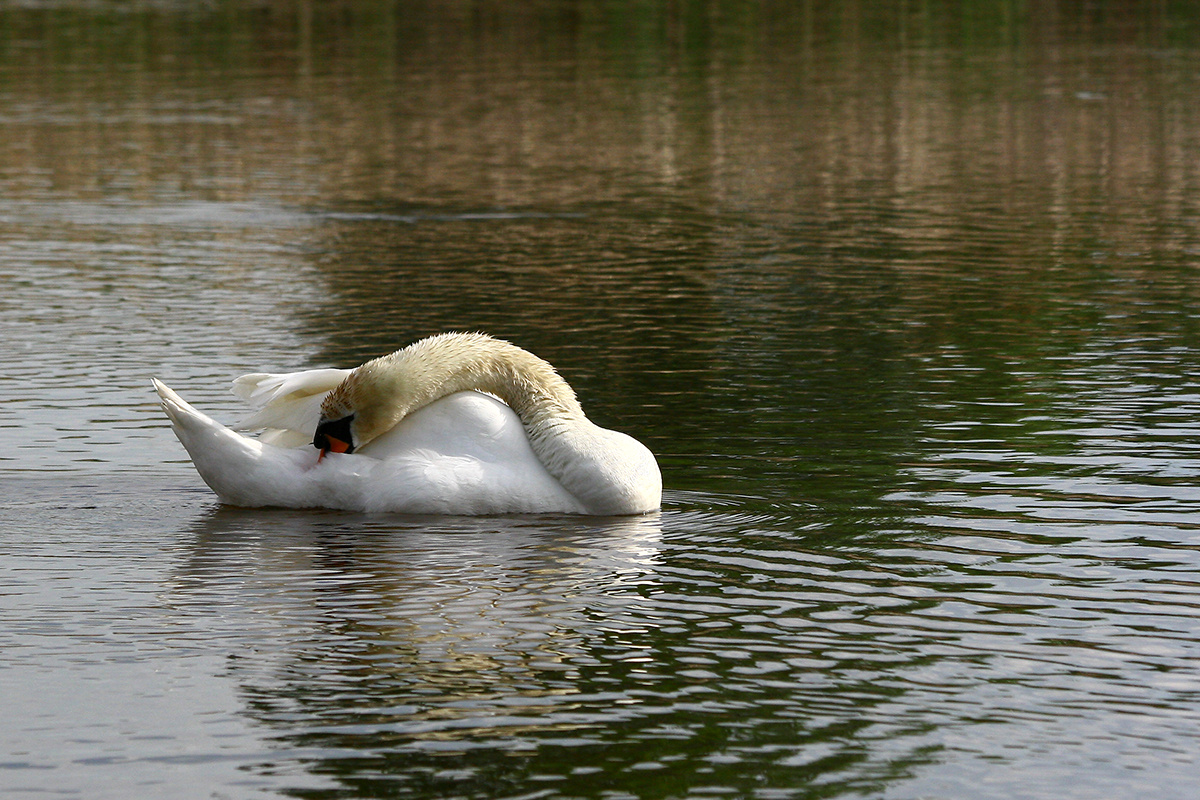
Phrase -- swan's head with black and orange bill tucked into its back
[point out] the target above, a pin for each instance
(363, 407)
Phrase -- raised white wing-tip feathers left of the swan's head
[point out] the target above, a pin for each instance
(289, 405)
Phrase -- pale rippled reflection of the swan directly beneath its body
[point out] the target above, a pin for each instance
(359, 631)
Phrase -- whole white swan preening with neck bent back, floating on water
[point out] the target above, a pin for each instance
(459, 424)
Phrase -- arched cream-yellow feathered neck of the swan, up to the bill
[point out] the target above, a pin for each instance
(386, 390)
